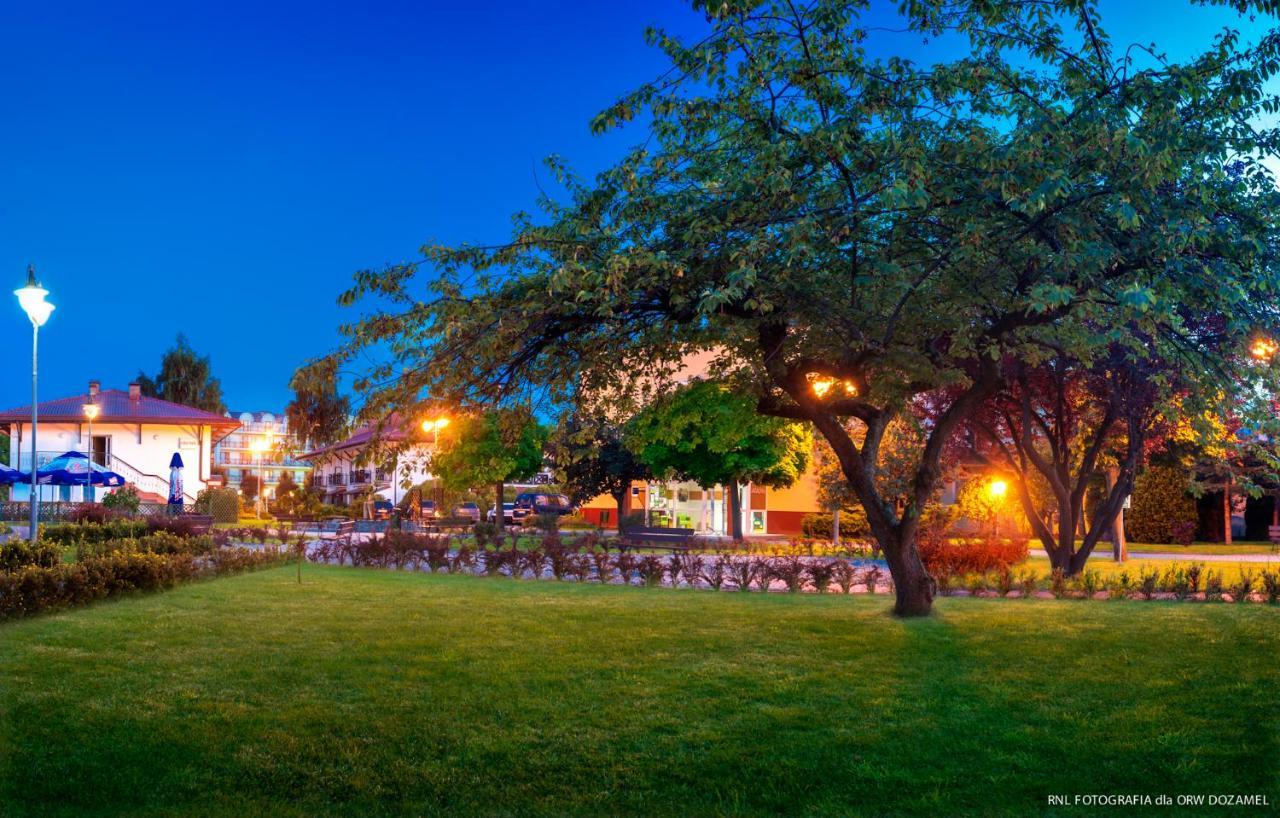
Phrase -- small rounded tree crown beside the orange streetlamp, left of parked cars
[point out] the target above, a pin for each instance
(490, 449)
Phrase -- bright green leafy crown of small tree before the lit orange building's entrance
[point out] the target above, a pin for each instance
(708, 435)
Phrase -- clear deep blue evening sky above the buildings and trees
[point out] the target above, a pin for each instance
(222, 168)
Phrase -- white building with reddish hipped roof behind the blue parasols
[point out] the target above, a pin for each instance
(134, 436)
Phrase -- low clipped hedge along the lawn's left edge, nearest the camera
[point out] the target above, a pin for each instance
(35, 588)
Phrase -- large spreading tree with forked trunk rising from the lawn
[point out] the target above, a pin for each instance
(816, 214)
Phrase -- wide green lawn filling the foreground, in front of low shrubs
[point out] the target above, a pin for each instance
(369, 693)
